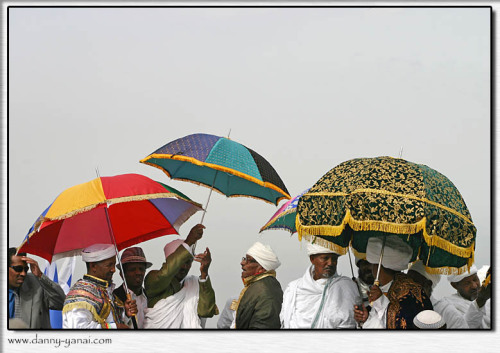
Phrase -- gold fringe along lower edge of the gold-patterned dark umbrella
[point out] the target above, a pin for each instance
(431, 241)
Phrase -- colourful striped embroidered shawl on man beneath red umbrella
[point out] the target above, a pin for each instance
(91, 293)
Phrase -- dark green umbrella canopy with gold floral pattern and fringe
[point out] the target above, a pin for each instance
(368, 197)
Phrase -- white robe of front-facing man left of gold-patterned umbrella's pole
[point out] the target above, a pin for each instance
(303, 297)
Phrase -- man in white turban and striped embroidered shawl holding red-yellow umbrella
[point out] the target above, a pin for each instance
(90, 303)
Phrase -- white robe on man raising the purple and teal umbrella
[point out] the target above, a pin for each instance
(179, 310)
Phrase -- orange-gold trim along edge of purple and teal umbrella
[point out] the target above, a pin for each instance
(215, 167)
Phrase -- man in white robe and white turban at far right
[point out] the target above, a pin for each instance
(469, 307)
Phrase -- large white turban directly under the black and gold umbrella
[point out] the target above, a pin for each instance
(397, 254)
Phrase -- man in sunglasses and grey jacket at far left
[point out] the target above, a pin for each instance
(31, 295)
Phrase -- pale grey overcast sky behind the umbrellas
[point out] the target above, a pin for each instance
(307, 88)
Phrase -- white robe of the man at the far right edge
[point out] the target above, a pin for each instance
(461, 313)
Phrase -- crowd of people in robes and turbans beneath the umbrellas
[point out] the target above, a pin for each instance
(381, 297)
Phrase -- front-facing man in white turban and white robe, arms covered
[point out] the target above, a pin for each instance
(320, 298)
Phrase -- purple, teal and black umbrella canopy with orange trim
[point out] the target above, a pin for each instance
(222, 164)
